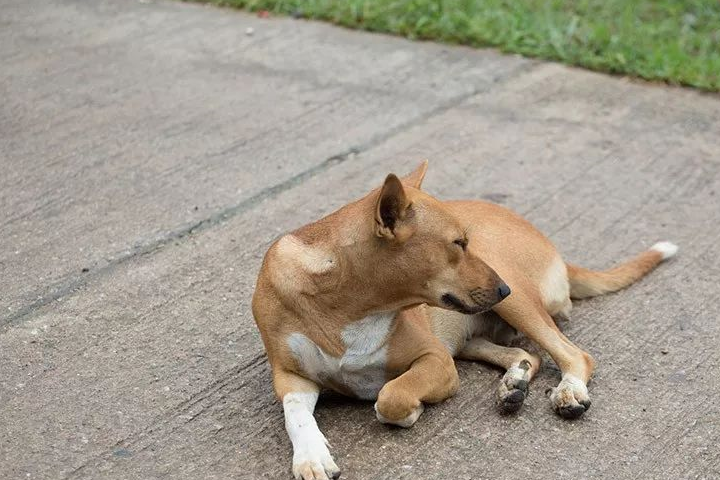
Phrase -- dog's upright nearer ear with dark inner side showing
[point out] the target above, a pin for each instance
(391, 209)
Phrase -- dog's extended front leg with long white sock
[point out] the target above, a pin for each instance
(311, 457)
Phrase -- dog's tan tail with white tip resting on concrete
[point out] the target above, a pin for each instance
(586, 283)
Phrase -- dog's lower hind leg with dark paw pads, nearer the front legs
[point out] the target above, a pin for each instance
(520, 367)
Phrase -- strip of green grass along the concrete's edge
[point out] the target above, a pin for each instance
(677, 41)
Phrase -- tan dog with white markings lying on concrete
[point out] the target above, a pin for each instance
(376, 299)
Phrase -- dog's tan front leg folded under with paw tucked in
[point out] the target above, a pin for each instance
(431, 378)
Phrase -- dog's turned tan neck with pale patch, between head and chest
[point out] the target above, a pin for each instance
(339, 257)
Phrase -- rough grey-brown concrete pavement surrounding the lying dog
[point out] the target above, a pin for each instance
(161, 148)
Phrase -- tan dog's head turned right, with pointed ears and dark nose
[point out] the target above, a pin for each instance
(425, 251)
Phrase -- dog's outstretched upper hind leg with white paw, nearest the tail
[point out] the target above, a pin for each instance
(524, 311)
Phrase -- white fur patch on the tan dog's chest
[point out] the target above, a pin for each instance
(362, 368)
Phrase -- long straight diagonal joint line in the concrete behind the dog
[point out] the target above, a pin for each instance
(72, 285)
